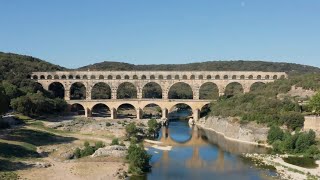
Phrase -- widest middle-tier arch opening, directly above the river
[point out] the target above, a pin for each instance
(180, 90)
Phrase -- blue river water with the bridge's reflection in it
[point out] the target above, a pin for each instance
(197, 154)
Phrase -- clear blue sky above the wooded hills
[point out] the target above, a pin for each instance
(74, 33)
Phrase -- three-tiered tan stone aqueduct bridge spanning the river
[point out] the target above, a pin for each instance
(140, 78)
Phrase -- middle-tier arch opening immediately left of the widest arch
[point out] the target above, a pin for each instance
(152, 90)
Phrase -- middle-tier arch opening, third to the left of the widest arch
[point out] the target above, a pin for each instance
(101, 90)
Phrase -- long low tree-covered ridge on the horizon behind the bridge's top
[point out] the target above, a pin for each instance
(208, 66)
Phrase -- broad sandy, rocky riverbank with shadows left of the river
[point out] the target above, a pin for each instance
(43, 149)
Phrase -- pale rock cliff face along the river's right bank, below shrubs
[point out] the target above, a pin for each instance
(232, 129)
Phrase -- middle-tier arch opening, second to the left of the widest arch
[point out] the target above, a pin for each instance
(127, 90)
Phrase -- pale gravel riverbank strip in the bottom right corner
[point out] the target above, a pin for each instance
(284, 169)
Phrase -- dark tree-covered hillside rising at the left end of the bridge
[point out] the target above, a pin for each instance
(15, 67)
